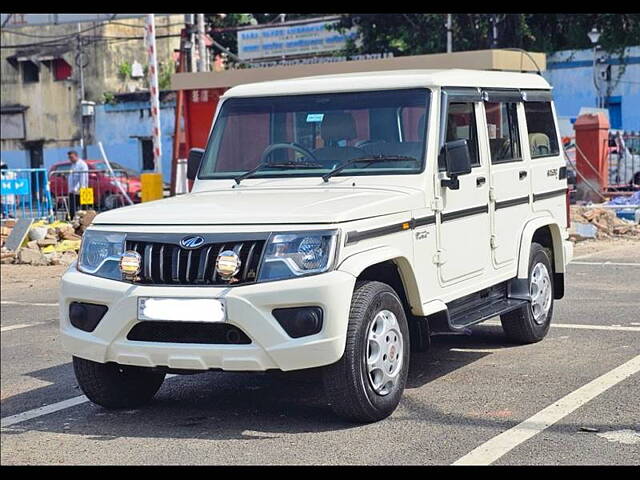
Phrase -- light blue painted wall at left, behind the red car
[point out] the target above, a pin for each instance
(117, 127)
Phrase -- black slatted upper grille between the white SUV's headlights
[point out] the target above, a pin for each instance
(170, 264)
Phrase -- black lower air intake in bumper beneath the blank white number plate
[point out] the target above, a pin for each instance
(188, 332)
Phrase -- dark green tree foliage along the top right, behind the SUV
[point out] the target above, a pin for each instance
(421, 33)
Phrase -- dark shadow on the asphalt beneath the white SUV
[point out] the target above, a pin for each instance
(224, 406)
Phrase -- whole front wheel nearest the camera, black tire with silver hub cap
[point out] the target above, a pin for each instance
(366, 384)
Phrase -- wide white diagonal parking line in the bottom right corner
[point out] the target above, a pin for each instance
(492, 450)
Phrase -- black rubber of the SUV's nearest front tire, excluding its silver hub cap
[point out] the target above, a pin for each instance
(346, 382)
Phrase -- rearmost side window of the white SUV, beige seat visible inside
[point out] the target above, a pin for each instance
(541, 126)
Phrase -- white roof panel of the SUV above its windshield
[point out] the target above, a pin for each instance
(391, 79)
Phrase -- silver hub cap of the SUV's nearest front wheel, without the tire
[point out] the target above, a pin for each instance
(384, 352)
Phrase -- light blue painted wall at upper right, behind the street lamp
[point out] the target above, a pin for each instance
(570, 72)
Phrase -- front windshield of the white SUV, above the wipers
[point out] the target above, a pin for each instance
(310, 135)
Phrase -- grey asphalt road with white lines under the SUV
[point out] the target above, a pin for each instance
(472, 398)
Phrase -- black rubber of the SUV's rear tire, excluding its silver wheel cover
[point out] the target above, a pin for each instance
(519, 325)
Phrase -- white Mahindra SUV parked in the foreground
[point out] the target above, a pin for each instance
(336, 222)
